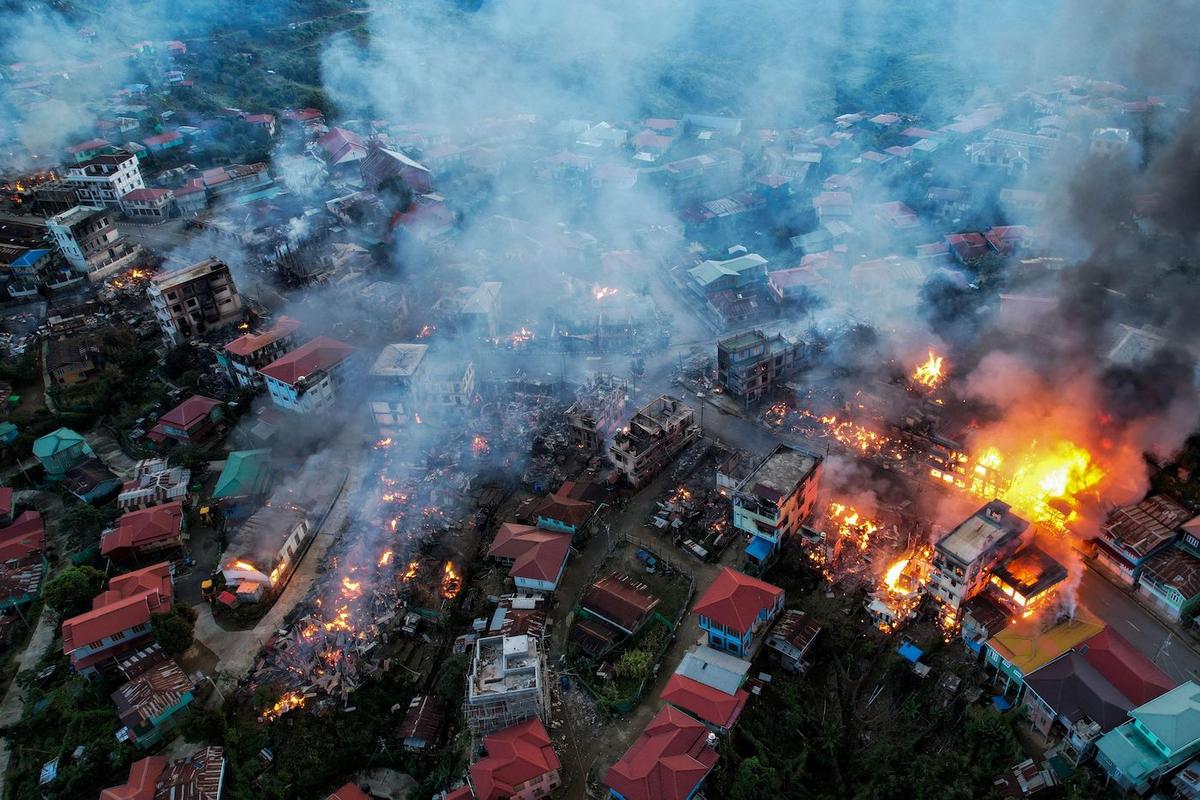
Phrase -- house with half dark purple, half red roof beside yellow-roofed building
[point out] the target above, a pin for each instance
(1090, 690)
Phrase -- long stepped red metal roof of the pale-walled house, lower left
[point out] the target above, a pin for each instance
(129, 603)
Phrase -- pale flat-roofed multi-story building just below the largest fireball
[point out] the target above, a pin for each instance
(965, 557)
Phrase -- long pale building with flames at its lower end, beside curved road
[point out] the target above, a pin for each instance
(265, 551)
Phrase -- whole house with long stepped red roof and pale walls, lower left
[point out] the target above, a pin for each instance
(119, 619)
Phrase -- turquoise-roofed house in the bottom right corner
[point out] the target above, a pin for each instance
(1160, 737)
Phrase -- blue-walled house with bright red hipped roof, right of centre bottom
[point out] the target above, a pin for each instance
(735, 610)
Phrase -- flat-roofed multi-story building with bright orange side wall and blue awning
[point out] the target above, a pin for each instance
(773, 502)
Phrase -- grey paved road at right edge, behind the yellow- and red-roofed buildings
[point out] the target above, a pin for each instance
(1124, 613)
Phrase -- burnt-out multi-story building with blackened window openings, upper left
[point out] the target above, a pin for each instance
(194, 300)
